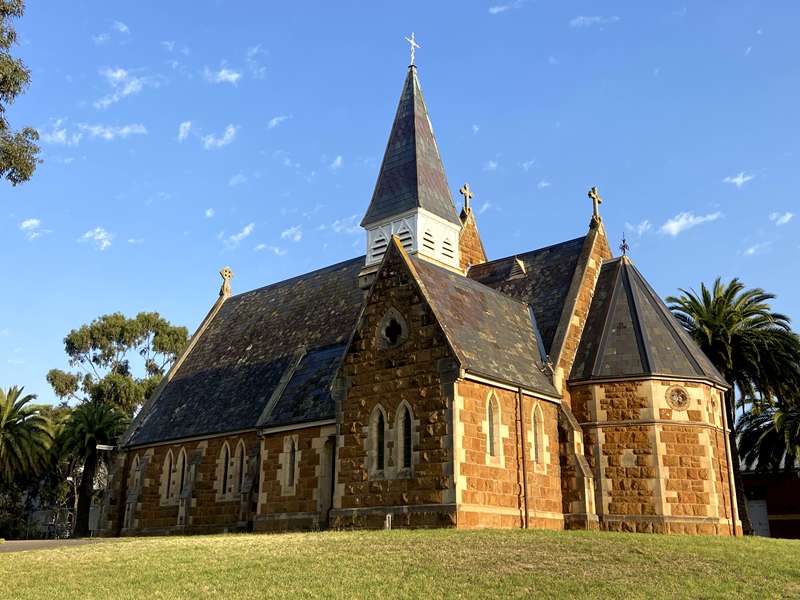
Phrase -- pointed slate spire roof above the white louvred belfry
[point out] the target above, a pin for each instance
(411, 175)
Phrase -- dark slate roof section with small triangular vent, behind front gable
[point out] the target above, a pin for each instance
(543, 285)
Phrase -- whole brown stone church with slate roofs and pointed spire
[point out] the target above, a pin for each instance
(425, 385)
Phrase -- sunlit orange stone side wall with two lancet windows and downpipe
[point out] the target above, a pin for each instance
(490, 488)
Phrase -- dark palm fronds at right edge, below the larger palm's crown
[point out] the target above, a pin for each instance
(769, 439)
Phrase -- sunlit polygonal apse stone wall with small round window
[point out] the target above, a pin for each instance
(657, 468)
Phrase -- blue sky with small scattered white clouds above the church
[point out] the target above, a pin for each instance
(179, 137)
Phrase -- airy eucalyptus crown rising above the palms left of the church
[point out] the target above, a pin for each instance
(103, 352)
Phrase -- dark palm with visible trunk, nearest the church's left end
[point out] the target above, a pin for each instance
(90, 424)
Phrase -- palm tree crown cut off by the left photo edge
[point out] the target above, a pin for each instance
(25, 435)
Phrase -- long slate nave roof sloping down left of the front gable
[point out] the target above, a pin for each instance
(229, 376)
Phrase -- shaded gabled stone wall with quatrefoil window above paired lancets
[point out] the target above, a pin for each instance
(416, 373)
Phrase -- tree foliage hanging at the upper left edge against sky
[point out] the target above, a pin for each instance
(18, 149)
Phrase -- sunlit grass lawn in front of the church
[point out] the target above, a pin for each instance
(409, 564)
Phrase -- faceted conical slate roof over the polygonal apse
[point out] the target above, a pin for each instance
(630, 331)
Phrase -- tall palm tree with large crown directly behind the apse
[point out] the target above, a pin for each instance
(753, 347)
